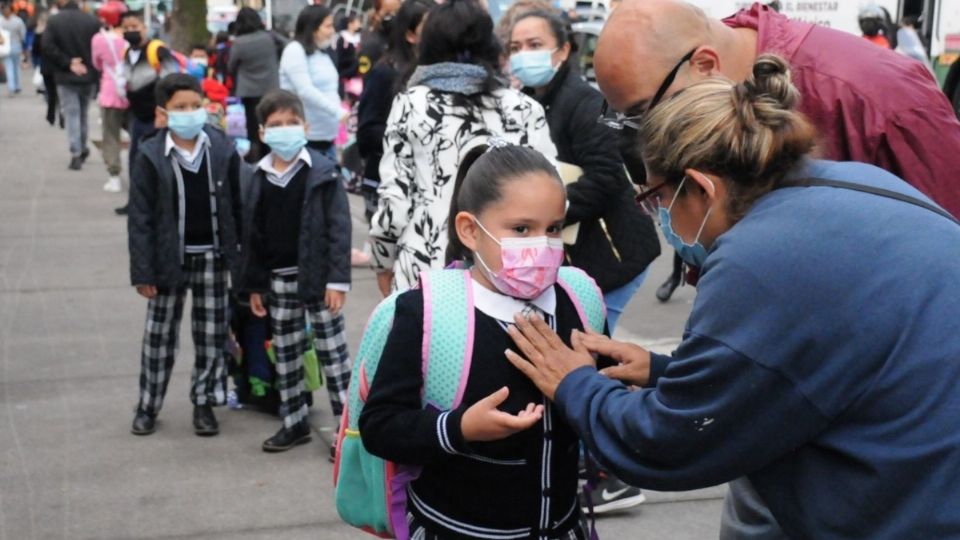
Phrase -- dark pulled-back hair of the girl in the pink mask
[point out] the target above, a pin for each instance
(480, 179)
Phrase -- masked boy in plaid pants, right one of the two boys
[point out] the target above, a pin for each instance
(297, 260)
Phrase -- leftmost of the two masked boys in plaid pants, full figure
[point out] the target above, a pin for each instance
(183, 236)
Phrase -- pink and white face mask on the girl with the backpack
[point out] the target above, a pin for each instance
(529, 265)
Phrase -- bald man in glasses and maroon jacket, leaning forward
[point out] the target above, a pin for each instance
(868, 104)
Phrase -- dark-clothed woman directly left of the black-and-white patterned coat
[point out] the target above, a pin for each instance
(381, 85)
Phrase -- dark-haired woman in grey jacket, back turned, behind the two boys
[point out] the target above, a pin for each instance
(254, 64)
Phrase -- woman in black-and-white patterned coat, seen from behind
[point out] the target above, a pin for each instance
(454, 101)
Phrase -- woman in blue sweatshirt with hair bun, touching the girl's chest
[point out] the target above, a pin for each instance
(814, 362)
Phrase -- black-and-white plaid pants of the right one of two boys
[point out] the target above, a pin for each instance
(288, 315)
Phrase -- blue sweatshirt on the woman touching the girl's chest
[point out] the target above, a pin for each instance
(821, 359)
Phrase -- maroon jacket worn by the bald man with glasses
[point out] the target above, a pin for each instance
(868, 104)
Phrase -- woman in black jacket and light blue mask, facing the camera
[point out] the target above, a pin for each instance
(615, 242)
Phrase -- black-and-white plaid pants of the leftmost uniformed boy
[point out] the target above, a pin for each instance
(206, 279)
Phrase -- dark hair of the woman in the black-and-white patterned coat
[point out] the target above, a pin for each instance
(461, 31)
